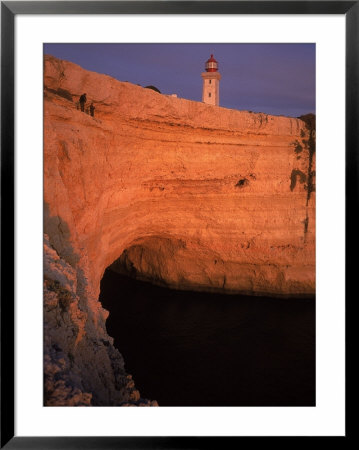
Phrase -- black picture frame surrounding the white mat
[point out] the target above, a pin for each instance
(8, 12)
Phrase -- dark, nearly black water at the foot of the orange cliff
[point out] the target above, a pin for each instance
(199, 349)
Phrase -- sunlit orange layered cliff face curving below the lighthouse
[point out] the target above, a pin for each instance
(182, 193)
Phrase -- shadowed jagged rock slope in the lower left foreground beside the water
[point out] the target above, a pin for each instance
(81, 366)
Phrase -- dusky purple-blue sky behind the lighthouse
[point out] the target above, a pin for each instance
(275, 79)
